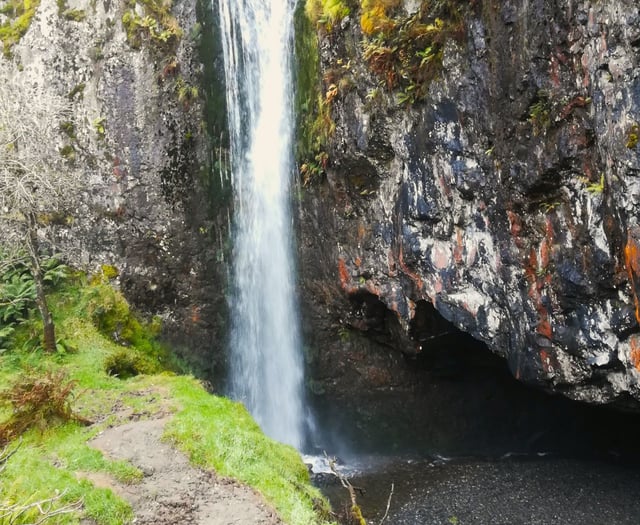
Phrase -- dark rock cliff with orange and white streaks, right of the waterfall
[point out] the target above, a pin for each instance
(500, 194)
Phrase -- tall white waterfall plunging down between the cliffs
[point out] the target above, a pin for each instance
(266, 362)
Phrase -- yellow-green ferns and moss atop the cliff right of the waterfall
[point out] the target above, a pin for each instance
(403, 51)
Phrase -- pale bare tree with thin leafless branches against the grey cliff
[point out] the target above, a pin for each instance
(36, 180)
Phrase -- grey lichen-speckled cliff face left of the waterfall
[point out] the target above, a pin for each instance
(144, 202)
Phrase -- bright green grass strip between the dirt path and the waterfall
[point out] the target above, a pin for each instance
(219, 433)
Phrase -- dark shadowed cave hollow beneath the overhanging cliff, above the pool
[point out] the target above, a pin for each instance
(463, 401)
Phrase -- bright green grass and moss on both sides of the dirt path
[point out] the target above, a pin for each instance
(214, 432)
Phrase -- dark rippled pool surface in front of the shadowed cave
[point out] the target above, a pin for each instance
(510, 491)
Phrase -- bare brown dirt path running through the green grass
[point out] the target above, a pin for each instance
(172, 491)
